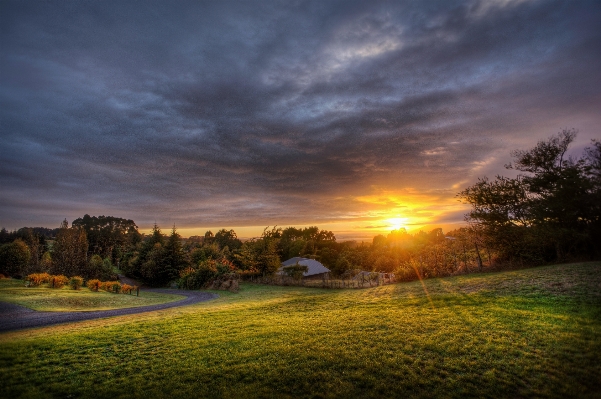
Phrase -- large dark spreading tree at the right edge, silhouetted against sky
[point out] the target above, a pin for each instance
(551, 212)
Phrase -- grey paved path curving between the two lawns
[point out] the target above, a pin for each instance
(16, 317)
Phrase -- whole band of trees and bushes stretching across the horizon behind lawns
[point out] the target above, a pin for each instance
(550, 212)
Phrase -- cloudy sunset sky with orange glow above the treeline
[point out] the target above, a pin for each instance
(357, 117)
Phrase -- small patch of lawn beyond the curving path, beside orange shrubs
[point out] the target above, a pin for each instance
(68, 300)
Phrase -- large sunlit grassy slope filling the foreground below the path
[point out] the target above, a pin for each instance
(528, 333)
